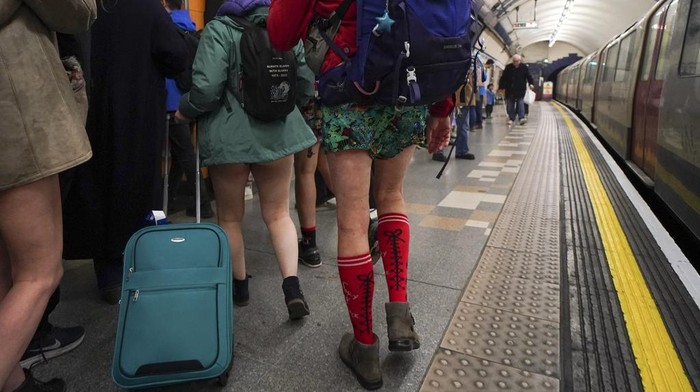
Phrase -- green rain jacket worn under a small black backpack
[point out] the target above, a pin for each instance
(230, 135)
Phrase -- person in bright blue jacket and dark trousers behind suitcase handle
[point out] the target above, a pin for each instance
(180, 135)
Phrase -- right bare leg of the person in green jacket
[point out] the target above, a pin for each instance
(273, 179)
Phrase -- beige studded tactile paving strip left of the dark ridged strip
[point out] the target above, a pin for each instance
(504, 334)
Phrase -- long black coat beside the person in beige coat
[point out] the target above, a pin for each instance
(134, 46)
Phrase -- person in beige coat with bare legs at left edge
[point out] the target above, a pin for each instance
(43, 135)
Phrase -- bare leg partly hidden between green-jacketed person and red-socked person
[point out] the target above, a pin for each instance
(305, 186)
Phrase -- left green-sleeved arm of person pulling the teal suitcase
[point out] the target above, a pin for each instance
(210, 71)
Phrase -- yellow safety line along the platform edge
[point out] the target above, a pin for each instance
(657, 359)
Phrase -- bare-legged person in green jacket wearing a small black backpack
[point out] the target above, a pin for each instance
(235, 142)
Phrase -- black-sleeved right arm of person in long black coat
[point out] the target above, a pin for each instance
(168, 47)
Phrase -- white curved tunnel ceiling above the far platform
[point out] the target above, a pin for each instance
(589, 25)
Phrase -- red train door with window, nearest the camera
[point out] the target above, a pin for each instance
(647, 99)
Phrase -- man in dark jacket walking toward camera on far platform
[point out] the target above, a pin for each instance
(514, 81)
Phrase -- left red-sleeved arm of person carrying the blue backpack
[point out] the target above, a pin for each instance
(287, 22)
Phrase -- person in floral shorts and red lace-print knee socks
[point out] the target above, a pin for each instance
(355, 136)
